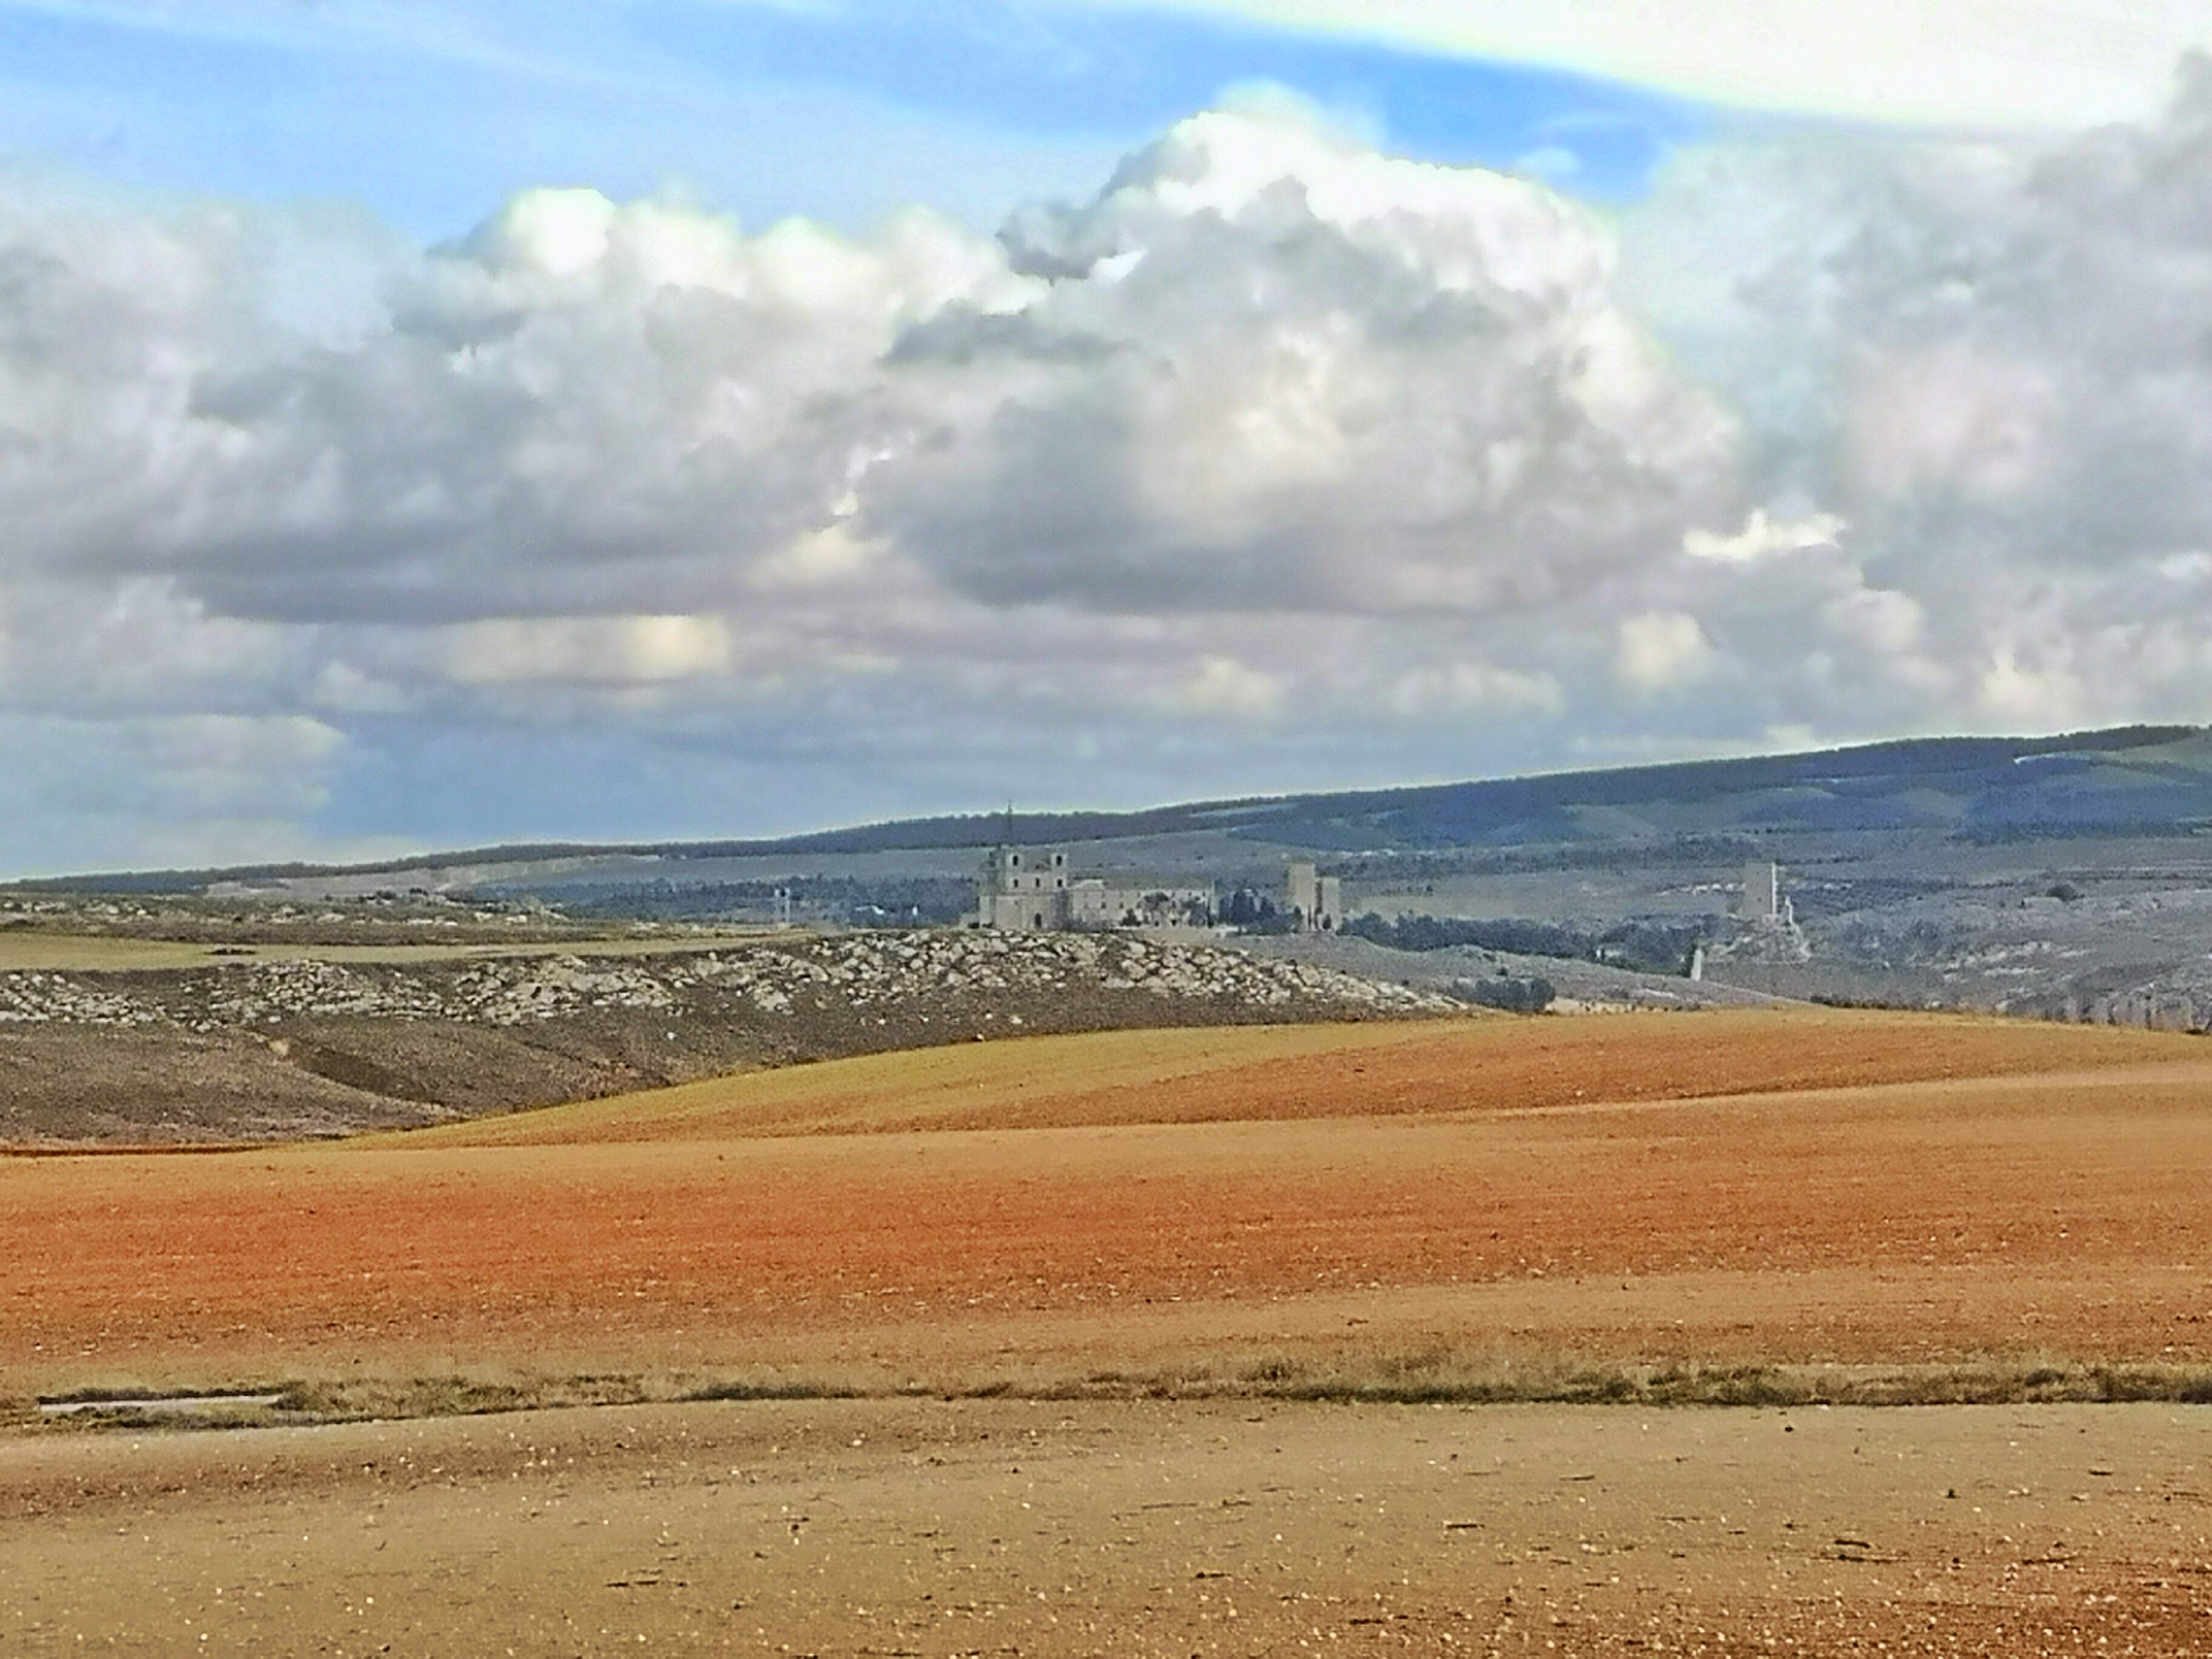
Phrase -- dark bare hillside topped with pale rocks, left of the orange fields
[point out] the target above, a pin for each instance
(300, 1047)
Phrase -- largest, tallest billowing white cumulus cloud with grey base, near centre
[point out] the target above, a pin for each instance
(1273, 371)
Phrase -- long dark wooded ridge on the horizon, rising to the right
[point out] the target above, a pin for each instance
(2133, 780)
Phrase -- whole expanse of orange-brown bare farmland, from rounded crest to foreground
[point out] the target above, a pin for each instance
(1123, 1317)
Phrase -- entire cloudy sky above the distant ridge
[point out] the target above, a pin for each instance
(452, 424)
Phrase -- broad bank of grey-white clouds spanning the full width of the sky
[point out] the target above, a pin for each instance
(1275, 437)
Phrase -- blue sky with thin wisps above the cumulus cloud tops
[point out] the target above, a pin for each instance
(844, 114)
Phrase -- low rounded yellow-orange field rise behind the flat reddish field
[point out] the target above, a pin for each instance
(1277, 1074)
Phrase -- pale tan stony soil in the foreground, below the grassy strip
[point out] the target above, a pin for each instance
(919, 1527)
